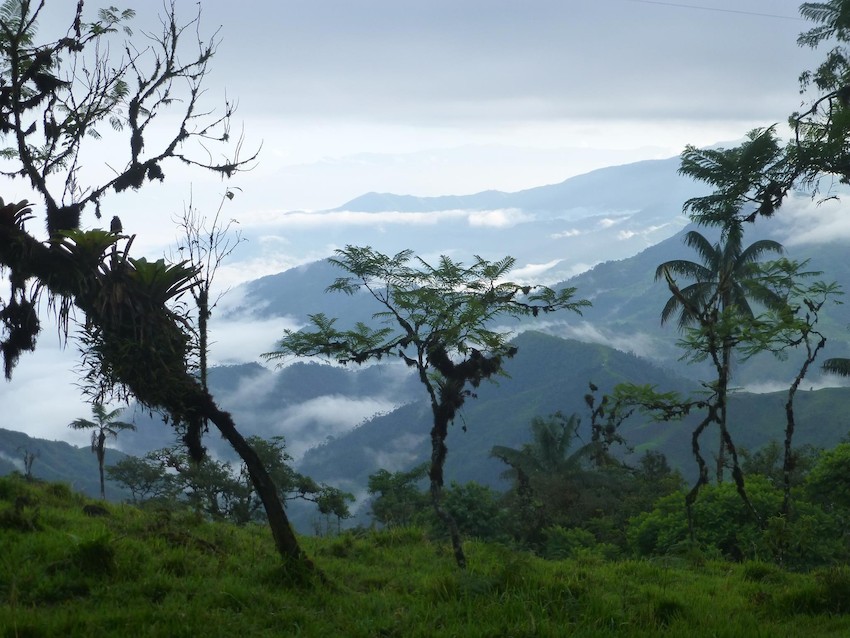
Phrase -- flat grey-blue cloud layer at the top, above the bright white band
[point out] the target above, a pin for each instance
(482, 63)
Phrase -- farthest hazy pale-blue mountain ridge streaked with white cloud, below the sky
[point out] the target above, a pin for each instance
(554, 230)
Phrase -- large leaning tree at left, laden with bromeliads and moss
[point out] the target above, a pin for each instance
(57, 99)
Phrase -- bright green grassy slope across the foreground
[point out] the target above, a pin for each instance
(139, 573)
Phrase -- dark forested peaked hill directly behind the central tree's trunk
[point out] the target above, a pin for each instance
(547, 374)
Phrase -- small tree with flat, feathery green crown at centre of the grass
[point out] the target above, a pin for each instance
(440, 320)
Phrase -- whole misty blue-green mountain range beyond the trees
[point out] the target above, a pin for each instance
(342, 424)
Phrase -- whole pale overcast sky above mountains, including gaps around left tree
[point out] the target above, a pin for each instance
(434, 98)
